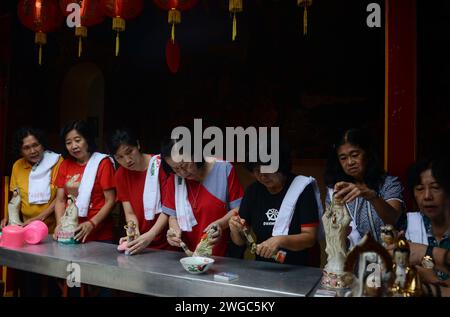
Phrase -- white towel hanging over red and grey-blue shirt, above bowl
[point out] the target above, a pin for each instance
(185, 215)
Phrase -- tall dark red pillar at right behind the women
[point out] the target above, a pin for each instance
(401, 86)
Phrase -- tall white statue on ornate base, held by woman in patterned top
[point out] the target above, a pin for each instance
(336, 221)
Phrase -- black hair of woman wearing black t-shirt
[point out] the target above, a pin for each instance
(285, 160)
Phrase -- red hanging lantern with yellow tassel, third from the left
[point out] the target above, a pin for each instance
(119, 11)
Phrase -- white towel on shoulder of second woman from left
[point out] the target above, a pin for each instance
(87, 183)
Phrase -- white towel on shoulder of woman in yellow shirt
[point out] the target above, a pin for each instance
(39, 187)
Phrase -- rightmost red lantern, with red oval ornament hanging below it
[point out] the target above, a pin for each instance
(174, 8)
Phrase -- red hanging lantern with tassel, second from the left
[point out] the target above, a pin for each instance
(90, 13)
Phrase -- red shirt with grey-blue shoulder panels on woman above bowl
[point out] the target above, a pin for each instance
(210, 200)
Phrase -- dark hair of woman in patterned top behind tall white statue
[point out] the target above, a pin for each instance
(374, 176)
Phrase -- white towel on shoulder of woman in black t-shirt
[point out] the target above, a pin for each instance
(286, 212)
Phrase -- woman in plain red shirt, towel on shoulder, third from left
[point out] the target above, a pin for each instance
(131, 180)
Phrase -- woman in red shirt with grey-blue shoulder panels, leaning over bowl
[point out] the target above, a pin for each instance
(213, 192)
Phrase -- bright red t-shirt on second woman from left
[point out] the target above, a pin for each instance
(104, 180)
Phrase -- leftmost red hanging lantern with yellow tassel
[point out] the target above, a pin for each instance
(41, 16)
